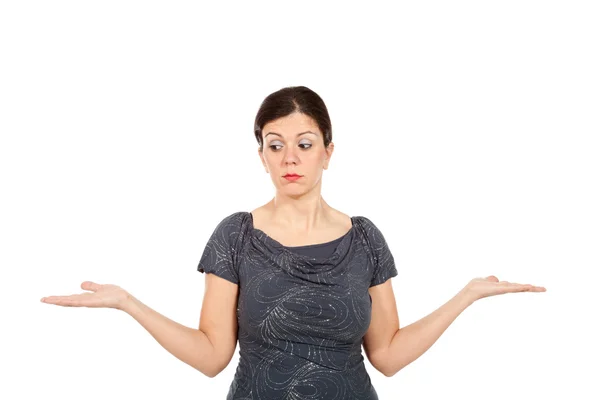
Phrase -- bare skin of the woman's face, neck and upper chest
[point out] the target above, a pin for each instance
(297, 215)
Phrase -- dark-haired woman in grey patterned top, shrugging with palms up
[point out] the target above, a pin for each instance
(301, 285)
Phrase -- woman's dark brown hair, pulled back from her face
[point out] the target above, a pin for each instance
(289, 100)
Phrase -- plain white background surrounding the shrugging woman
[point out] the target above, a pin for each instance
(468, 131)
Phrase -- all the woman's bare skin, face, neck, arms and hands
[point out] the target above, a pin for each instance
(297, 215)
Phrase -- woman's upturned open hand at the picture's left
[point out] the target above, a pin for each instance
(107, 296)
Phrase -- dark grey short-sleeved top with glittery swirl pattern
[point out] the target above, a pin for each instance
(302, 311)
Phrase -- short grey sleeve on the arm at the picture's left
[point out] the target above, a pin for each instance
(220, 253)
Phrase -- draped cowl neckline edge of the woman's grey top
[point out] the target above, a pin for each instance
(289, 250)
